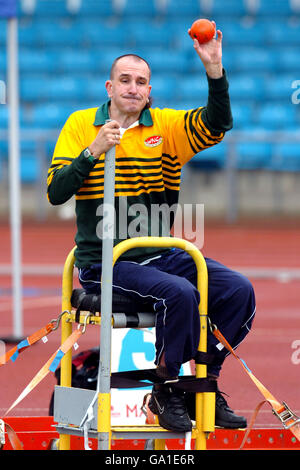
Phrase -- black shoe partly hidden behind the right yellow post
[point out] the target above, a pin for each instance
(224, 417)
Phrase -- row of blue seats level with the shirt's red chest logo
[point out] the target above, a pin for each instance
(250, 155)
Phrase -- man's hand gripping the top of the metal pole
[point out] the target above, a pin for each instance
(107, 137)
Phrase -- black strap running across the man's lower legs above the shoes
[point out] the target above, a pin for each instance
(148, 377)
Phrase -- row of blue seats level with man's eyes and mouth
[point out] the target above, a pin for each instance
(165, 89)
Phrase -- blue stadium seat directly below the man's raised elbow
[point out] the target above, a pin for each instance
(212, 158)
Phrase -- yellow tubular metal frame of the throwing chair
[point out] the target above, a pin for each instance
(205, 402)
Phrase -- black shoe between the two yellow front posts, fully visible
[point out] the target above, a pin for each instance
(169, 406)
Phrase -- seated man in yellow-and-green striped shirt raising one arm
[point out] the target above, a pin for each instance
(152, 145)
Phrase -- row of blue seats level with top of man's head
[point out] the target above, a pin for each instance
(69, 61)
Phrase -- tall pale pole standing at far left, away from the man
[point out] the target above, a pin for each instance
(14, 174)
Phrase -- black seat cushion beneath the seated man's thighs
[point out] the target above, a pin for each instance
(120, 303)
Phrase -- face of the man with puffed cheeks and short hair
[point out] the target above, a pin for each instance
(129, 87)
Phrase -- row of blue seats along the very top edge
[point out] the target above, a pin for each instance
(130, 8)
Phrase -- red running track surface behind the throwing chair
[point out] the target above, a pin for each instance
(268, 349)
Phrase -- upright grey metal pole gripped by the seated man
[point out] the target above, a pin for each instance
(103, 386)
